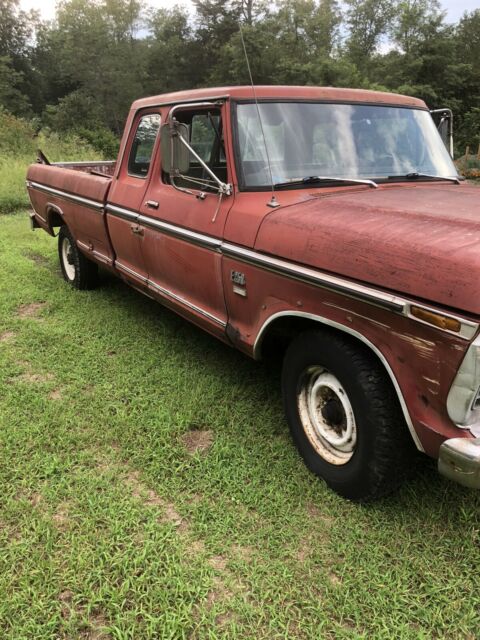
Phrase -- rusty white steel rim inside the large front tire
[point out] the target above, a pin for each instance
(327, 415)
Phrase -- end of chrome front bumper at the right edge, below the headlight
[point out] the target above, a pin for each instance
(459, 460)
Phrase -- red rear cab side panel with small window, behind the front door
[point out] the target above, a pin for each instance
(126, 195)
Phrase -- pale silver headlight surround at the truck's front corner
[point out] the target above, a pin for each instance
(463, 403)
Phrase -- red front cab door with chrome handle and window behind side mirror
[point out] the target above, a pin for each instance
(184, 219)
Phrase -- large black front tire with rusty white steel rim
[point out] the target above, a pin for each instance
(377, 450)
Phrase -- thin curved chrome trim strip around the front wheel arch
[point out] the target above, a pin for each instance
(356, 334)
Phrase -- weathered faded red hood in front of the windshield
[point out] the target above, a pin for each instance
(420, 240)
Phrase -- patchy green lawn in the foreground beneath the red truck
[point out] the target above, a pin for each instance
(111, 528)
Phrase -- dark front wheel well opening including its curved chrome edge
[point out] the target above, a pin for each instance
(278, 334)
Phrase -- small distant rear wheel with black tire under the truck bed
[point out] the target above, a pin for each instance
(77, 270)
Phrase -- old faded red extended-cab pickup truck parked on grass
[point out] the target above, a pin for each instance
(329, 225)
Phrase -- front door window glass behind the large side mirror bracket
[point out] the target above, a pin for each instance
(206, 138)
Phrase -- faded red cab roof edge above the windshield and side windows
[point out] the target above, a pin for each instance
(330, 94)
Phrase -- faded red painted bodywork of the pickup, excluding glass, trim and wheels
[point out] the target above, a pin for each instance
(421, 241)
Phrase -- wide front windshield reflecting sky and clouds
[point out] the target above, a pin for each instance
(338, 140)
